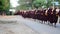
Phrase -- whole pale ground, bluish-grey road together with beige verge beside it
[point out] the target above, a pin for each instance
(28, 26)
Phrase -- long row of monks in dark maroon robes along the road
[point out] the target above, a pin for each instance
(50, 15)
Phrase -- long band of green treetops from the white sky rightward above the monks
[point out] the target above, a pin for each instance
(34, 4)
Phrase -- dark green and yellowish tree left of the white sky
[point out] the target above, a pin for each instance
(4, 5)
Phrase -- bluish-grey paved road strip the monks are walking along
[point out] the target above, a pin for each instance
(41, 28)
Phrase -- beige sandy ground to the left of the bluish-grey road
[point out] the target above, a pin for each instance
(15, 28)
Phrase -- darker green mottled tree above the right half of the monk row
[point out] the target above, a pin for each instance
(40, 3)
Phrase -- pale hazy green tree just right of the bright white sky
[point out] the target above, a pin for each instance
(24, 5)
